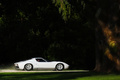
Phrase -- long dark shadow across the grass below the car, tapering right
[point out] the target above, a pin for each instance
(45, 76)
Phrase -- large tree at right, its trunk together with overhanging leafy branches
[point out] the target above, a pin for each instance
(107, 30)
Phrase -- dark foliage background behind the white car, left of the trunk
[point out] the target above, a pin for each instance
(35, 28)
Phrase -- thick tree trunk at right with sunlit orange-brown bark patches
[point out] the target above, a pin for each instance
(108, 38)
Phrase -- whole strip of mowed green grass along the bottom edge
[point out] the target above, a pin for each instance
(58, 76)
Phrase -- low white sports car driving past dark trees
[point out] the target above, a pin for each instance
(40, 63)
